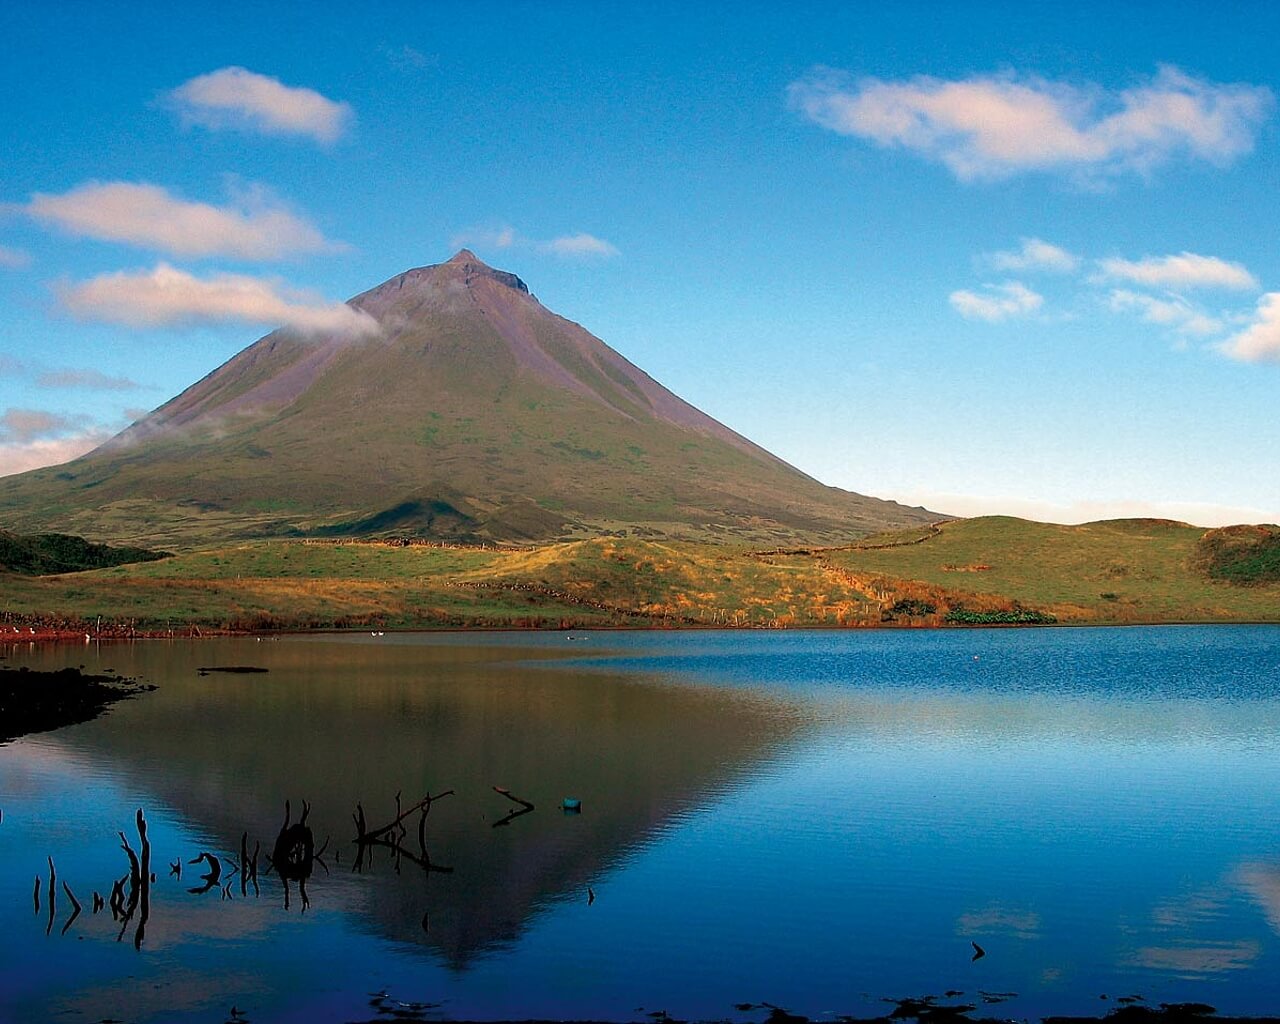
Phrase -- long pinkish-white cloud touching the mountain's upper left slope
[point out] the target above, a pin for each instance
(167, 298)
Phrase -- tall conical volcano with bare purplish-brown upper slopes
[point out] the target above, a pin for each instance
(473, 413)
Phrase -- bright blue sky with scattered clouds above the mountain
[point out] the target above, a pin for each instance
(990, 258)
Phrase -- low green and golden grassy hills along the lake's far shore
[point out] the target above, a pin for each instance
(986, 570)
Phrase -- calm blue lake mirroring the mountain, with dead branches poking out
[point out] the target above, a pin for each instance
(820, 821)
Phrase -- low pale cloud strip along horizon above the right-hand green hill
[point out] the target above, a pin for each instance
(1200, 514)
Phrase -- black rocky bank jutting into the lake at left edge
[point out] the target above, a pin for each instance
(42, 701)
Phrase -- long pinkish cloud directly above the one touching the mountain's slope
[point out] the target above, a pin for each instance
(255, 228)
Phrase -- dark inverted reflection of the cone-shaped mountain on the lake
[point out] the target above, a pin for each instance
(340, 724)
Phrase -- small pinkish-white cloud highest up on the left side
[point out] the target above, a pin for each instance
(235, 98)
